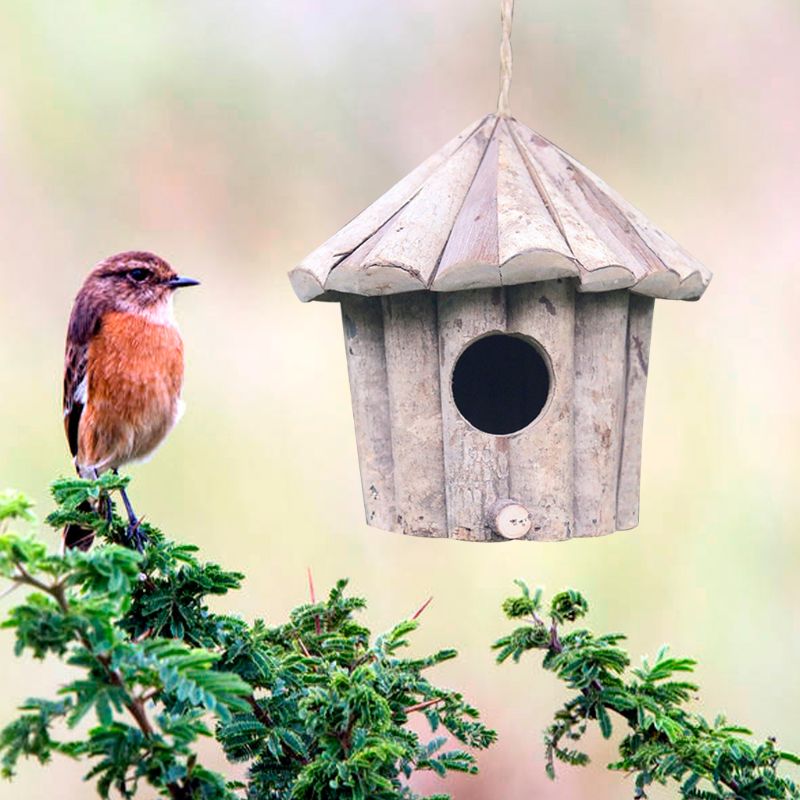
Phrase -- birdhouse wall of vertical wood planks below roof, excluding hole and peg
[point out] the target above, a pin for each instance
(427, 471)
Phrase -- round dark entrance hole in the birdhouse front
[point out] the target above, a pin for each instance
(501, 383)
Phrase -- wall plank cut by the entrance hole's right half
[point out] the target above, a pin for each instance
(541, 457)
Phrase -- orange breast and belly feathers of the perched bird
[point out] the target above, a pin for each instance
(135, 374)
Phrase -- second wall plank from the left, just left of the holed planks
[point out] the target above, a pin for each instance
(412, 359)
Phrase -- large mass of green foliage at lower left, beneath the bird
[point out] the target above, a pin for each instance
(315, 707)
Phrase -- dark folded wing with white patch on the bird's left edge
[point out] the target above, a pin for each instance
(84, 325)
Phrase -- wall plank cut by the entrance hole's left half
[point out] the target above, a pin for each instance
(476, 463)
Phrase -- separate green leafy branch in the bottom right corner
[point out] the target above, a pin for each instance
(664, 743)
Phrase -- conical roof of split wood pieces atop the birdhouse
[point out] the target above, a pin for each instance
(499, 205)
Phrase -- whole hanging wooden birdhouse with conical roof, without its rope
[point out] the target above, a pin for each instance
(497, 306)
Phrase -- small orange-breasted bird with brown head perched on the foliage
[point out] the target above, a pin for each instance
(123, 372)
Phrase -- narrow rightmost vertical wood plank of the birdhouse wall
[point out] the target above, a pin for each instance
(640, 322)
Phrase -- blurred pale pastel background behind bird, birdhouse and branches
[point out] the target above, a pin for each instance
(233, 138)
